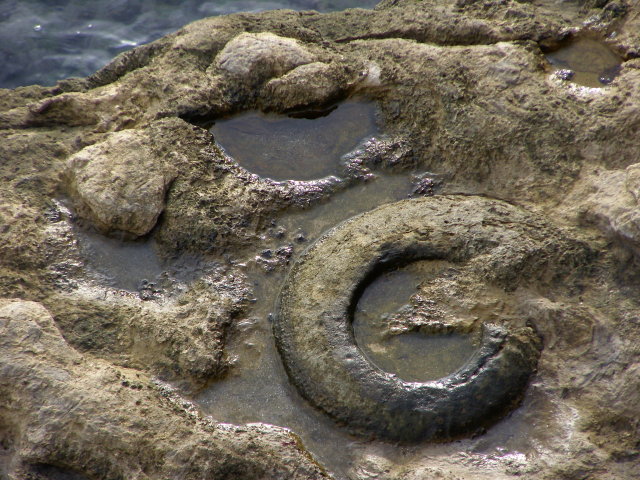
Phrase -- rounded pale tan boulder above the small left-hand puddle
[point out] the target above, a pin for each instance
(120, 182)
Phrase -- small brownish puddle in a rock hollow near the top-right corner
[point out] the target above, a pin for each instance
(586, 62)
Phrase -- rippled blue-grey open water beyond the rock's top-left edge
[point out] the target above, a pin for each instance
(43, 41)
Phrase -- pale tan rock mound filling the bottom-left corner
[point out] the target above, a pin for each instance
(102, 422)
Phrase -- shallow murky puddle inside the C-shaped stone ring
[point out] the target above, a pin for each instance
(413, 356)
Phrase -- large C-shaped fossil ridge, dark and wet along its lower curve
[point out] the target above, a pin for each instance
(501, 244)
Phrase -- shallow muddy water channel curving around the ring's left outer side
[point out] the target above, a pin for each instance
(258, 389)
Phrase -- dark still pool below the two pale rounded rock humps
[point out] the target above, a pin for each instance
(288, 148)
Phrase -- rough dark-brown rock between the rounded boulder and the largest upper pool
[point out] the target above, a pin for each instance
(214, 202)
